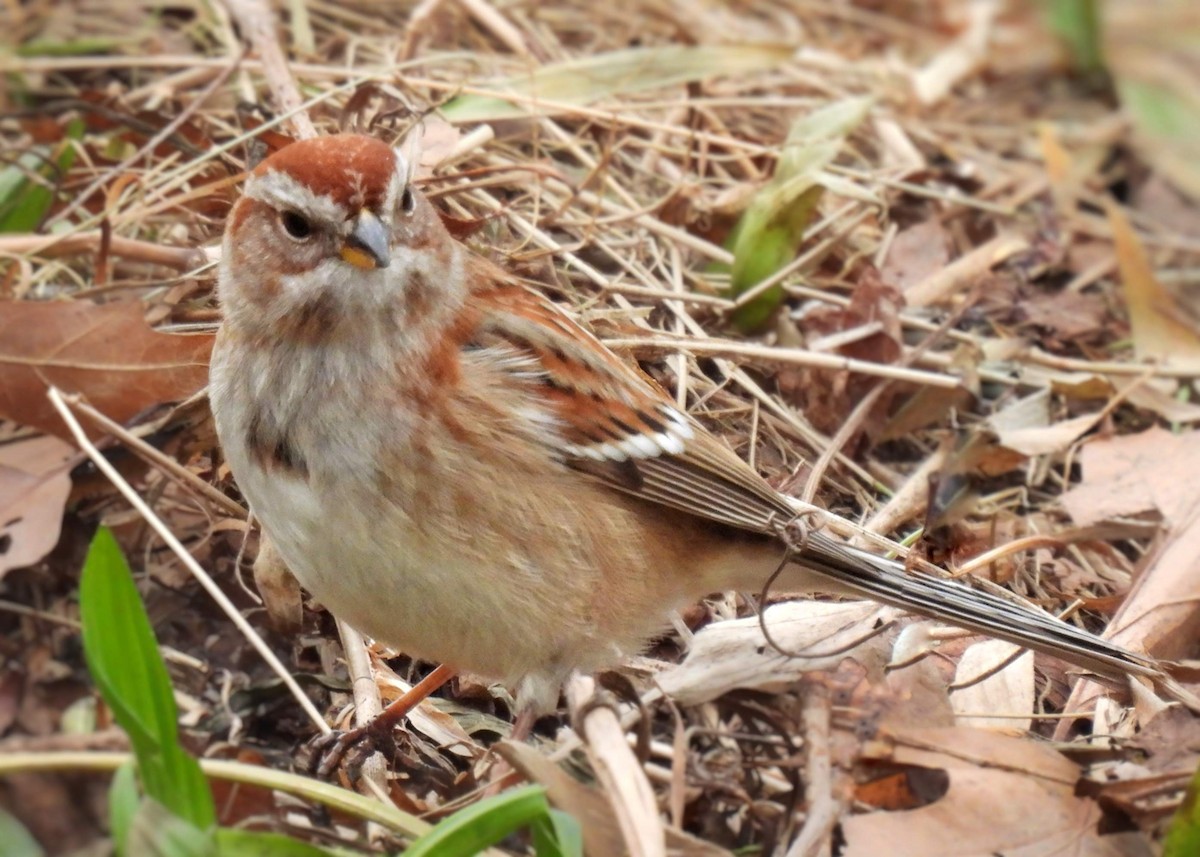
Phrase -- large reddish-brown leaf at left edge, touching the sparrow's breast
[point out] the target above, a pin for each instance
(106, 352)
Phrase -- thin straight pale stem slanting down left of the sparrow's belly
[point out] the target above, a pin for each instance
(61, 404)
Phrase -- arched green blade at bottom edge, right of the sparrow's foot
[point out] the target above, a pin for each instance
(488, 823)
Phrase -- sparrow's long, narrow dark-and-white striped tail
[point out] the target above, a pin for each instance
(958, 604)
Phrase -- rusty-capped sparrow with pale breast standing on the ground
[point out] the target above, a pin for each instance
(453, 465)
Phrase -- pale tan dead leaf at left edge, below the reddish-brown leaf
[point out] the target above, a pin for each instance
(35, 483)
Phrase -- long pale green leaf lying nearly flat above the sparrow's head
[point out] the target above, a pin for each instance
(591, 79)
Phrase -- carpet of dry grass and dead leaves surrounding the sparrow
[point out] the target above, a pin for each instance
(988, 221)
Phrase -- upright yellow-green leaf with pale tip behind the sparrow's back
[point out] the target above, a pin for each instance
(771, 230)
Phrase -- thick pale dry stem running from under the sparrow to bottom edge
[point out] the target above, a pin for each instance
(619, 771)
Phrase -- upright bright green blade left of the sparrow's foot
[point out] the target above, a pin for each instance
(124, 660)
